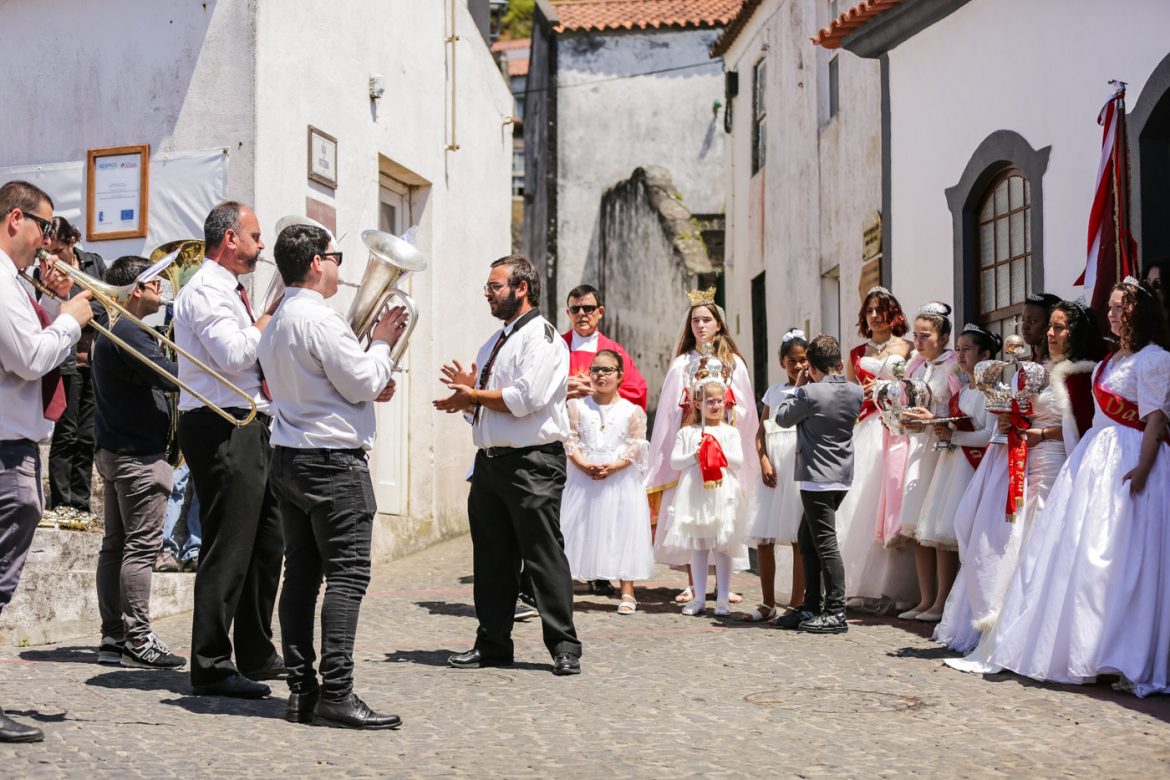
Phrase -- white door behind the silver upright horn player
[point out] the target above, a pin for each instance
(391, 453)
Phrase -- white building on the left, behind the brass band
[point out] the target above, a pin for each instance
(224, 93)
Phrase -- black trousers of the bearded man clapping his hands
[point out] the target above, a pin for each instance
(514, 509)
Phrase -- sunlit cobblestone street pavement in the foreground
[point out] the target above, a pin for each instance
(662, 695)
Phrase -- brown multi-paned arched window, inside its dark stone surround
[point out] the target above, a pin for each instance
(1004, 278)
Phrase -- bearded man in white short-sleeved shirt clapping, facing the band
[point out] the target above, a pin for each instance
(517, 404)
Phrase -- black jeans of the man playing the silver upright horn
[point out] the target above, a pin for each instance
(327, 512)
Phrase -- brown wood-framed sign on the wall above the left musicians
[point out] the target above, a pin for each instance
(118, 192)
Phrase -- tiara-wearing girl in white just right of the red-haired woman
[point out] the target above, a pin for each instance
(934, 364)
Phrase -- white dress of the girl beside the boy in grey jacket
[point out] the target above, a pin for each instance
(779, 510)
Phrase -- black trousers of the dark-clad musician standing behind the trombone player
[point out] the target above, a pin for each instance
(72, 452)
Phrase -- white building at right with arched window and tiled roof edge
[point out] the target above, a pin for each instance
(990, 113)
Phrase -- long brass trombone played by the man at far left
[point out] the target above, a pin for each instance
(115, 299)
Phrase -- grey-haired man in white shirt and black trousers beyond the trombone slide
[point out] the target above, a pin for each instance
(240, 561)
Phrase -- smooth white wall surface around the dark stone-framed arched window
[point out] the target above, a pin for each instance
(1038, 68)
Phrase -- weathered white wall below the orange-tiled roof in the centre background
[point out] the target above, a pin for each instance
(611, 121)
